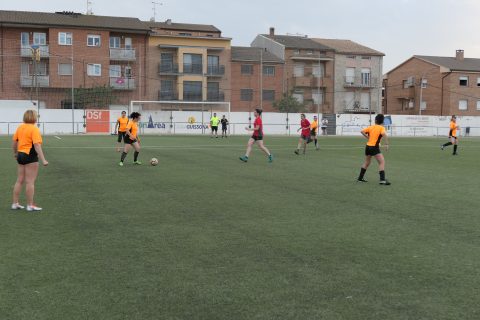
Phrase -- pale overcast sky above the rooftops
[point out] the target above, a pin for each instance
(399, 28)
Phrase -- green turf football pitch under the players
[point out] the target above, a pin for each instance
(204, 236)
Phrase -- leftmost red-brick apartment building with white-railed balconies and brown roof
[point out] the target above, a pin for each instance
(44, 55)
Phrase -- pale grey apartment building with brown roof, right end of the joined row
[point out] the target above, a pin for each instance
(358, 75)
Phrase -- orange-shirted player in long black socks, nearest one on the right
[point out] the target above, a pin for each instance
(374, 134)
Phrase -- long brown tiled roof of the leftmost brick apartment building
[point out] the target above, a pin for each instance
(69, 19)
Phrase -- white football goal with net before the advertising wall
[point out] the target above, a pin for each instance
(178, 117)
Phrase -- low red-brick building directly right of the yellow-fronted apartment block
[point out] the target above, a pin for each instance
(257, 79)
